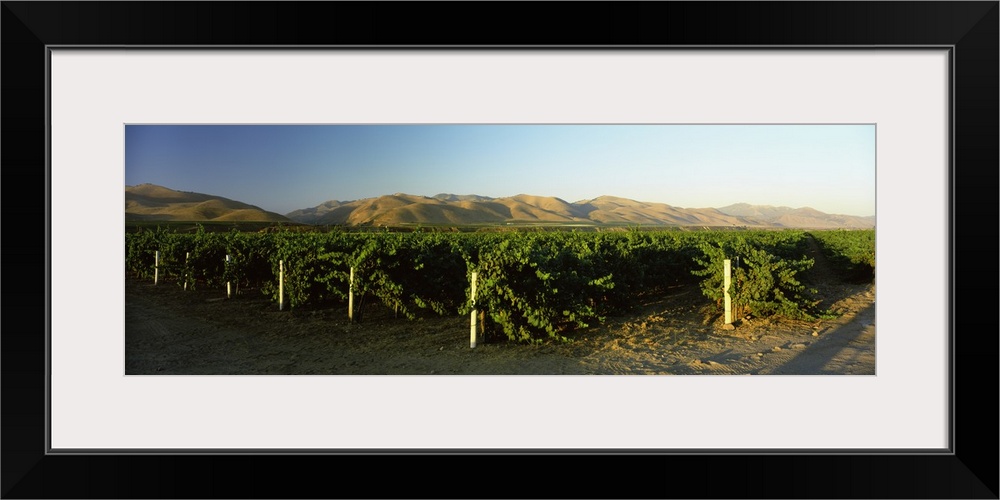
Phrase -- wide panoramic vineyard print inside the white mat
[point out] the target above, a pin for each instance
(499, 249)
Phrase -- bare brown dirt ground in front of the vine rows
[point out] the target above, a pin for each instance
(169, 331)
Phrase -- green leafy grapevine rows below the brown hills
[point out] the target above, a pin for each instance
(530, 285)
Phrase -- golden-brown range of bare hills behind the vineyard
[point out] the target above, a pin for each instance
(148, 202)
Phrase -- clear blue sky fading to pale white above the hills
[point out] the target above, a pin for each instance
(281, 168)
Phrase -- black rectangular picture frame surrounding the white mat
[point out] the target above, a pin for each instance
(970, 28)
